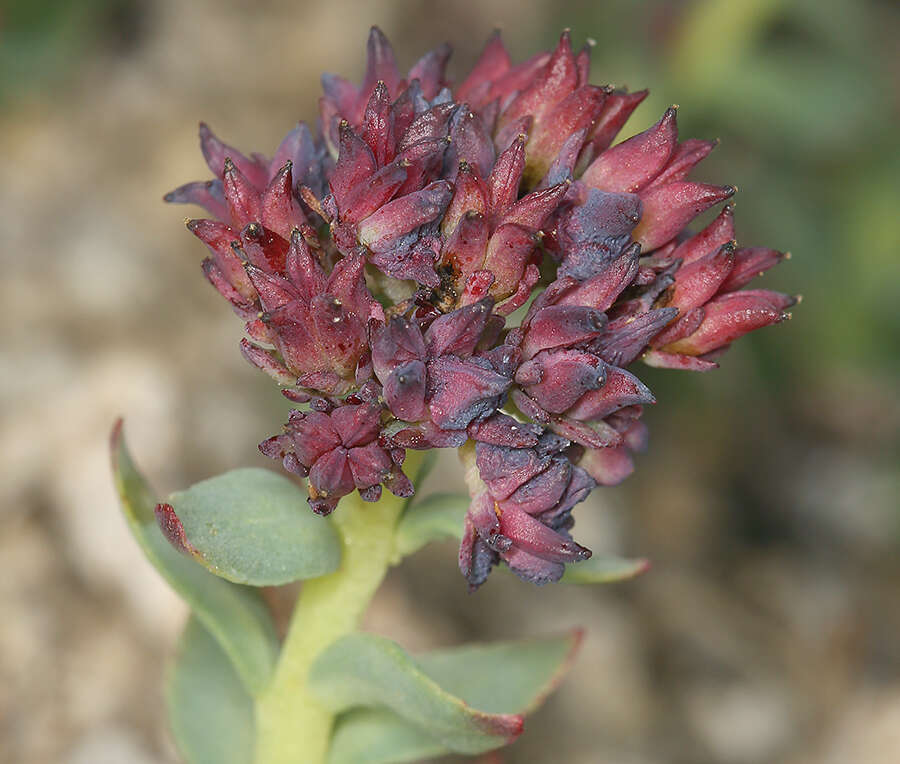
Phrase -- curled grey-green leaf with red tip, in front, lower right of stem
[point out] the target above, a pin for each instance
(367, 670)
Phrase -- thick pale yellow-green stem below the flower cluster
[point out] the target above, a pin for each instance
(291, 727)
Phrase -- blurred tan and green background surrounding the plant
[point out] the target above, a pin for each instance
(768, 629)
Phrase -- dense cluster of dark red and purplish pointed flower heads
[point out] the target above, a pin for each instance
(380, 263)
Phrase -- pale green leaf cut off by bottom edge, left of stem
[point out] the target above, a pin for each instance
(210, 712)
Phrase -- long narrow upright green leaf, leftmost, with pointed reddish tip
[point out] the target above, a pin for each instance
(234, 615)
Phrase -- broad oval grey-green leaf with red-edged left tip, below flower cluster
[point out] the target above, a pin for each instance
(253, 526)
